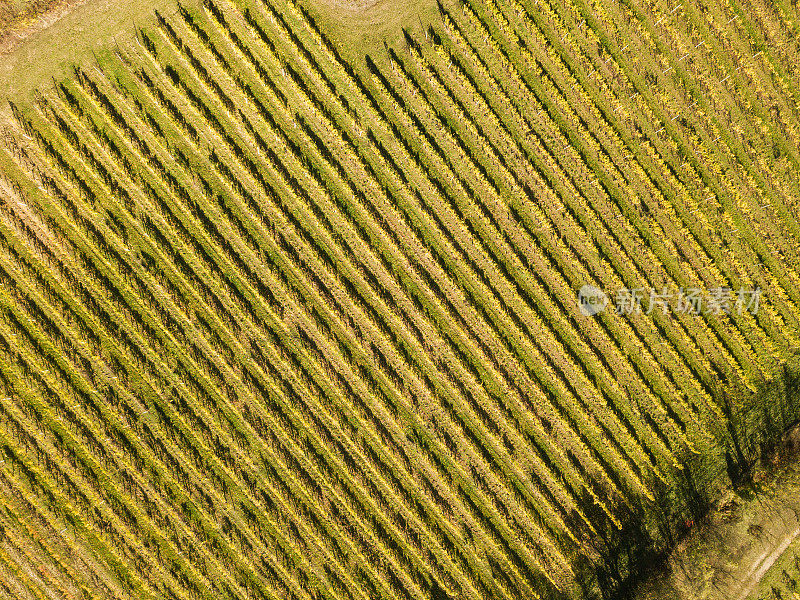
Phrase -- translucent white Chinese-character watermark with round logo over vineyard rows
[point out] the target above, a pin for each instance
(695, 301)
